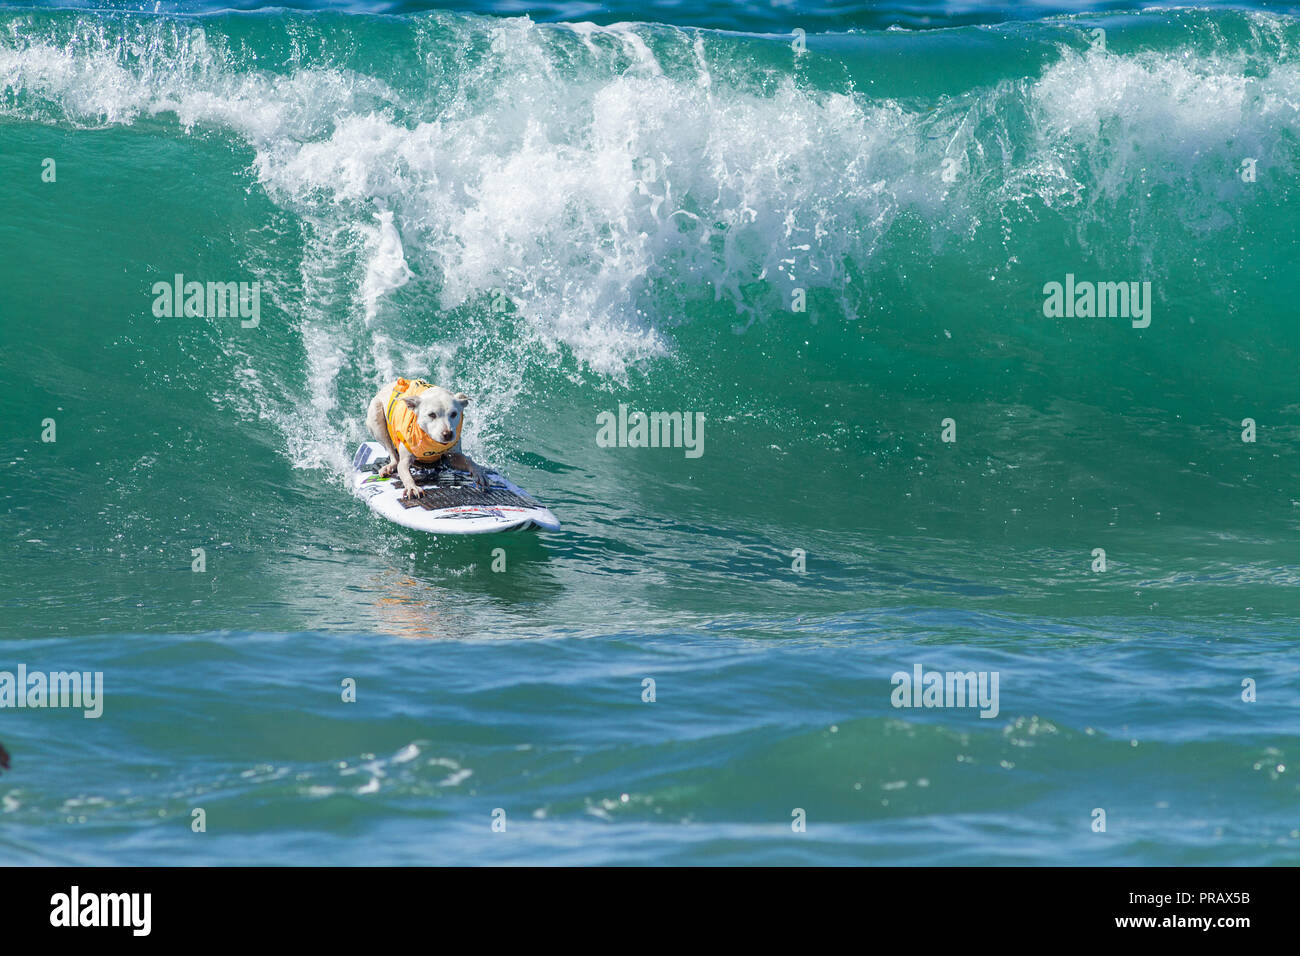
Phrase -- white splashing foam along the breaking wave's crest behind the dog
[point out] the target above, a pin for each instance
(599, 181)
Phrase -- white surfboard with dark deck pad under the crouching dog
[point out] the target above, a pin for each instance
(450, 505)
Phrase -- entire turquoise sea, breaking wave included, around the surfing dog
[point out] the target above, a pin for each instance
(564, 218)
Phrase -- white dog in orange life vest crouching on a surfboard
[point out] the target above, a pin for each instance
(421, 425)
